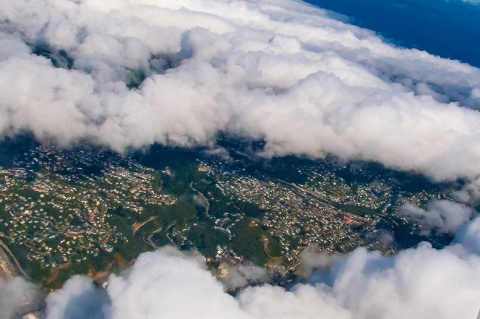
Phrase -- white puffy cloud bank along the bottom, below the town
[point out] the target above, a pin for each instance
(416, 283)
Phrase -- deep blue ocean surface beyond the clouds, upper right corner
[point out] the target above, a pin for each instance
(450, 29)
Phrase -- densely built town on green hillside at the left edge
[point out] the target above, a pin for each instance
(61, 214)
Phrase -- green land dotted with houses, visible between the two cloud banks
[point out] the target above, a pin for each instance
(87, 210)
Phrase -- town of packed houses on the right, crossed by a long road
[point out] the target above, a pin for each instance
(319, 212)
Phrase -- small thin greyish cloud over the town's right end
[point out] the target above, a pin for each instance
(442, 215)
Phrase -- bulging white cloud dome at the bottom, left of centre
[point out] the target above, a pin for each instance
(164, 284)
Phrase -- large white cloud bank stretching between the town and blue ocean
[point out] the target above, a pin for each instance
(278, 70)
